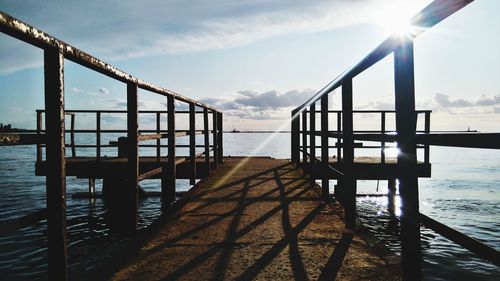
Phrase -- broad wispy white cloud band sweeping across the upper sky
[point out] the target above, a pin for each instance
(128, 29)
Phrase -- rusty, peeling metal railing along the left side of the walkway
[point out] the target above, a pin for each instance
(55, 52)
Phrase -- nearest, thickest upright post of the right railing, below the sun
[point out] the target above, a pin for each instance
(408, 182)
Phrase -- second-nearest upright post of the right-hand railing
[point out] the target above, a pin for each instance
(348, 182)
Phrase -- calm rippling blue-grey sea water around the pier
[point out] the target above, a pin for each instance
(463, 194)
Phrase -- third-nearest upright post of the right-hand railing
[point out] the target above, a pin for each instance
(325, 183)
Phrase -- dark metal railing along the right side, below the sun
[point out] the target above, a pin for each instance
(406, 168)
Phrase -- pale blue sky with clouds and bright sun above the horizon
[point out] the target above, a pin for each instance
(255, 59)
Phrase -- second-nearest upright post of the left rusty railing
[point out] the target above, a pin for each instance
(130, 205)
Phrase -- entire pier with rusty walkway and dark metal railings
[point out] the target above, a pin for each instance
(243, 218)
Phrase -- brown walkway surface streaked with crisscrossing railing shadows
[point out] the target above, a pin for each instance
(256, 218)
